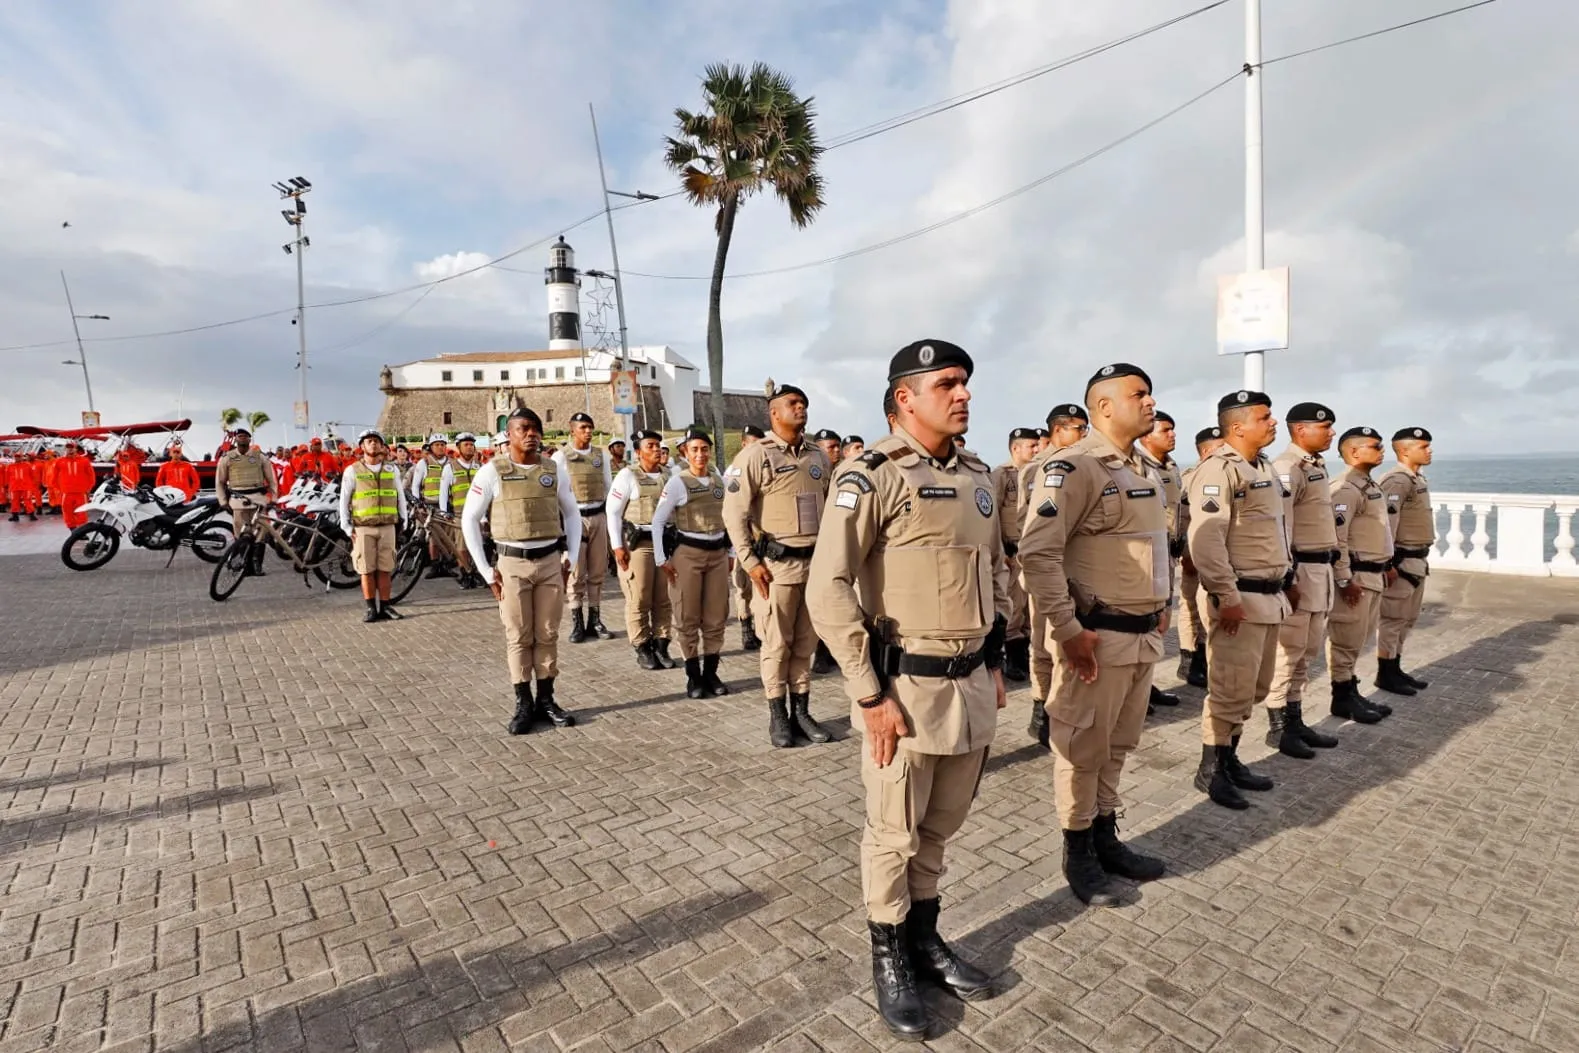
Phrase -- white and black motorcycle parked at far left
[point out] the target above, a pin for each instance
(157, 519)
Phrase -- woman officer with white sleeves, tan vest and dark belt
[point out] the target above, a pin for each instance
(697, 564)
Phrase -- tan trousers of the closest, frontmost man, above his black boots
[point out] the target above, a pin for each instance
(913, 808)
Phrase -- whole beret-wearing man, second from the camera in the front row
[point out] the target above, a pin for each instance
(1097, 561)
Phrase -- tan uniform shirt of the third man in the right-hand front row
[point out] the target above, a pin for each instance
(1237, 531)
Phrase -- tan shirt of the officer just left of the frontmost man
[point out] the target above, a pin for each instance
(779, 492)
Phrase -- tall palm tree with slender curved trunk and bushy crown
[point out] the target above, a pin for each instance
(754, 133)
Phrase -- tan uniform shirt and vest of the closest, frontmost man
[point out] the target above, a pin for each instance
(913, 539)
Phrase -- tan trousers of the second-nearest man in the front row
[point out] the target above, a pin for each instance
(1095, 729)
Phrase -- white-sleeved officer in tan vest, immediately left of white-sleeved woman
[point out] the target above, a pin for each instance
(632, 500)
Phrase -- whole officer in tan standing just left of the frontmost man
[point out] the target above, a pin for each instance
(773, 508)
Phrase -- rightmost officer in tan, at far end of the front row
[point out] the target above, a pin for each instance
(1414, 522)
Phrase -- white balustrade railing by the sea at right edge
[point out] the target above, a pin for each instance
(1510, 534)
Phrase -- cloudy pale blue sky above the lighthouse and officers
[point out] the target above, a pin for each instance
(1420, 185)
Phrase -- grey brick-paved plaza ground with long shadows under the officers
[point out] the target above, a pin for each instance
(264, 826)
